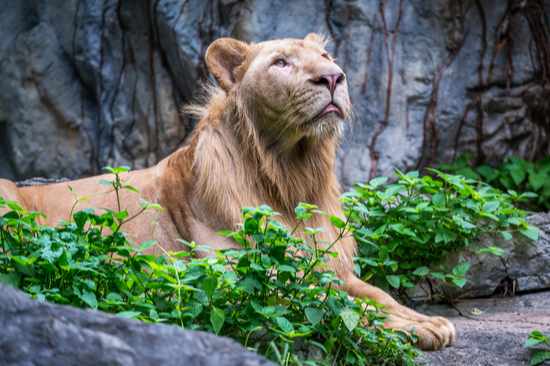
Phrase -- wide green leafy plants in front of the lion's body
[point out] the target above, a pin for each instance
(275, 295)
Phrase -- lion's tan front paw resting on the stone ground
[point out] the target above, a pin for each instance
(435, 333)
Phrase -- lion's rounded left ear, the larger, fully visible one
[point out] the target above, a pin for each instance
(223, 57)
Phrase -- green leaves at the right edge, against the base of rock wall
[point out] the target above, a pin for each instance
(515, 175)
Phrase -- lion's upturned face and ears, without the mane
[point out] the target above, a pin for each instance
(293, 87)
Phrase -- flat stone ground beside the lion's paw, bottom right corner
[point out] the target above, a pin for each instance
(495, 338)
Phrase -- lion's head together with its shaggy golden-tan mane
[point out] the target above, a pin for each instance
(267, 134)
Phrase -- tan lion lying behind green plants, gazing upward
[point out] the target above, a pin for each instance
(267, 135)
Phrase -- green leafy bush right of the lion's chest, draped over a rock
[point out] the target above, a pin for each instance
(405, 229)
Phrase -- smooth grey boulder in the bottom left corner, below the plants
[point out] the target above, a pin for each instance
(39, 333)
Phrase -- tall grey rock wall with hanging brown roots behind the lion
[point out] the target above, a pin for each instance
(86, 83)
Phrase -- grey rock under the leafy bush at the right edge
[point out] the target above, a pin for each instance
(523, 267)
